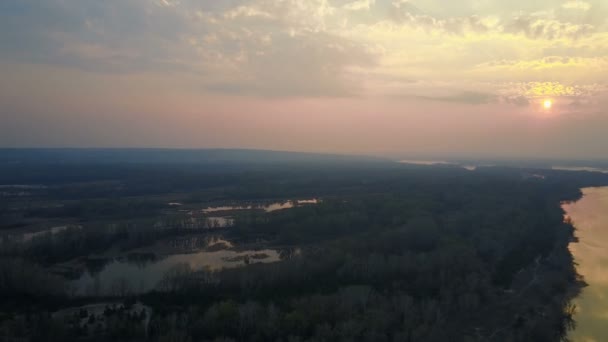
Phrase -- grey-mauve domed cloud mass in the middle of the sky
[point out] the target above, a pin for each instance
(305, 65)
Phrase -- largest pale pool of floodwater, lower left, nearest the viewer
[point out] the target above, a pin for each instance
(144, 269)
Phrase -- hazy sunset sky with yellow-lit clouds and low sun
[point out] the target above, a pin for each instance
(402, 78)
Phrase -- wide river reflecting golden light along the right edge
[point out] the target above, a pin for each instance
(590, 217)
